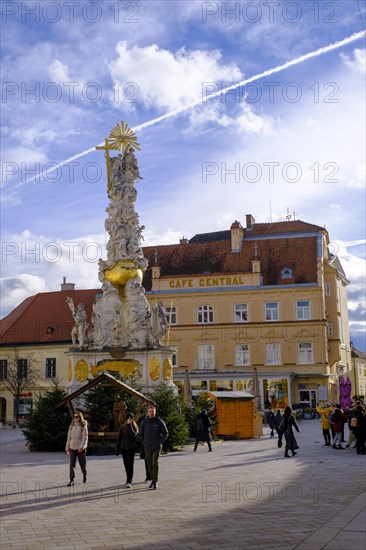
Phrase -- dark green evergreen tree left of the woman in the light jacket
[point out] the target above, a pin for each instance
(46, 429)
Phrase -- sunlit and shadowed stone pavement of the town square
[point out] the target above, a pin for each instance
(243, 495)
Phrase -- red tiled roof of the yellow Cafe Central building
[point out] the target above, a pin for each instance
(204, 254)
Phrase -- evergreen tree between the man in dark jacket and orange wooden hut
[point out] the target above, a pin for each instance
(169, 409)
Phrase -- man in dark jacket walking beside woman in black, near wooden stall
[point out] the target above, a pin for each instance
(153, 433)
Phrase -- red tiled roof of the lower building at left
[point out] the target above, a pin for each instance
(28, 323)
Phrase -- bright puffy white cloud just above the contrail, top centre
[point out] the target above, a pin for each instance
(167, 80)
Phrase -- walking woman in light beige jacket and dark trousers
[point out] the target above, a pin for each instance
(76, 444)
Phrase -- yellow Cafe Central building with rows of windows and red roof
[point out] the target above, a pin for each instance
(295, 332)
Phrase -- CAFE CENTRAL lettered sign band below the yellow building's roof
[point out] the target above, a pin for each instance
(207, 281)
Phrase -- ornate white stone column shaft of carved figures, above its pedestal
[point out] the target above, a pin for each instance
(124, 318)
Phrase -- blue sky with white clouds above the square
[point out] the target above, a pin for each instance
(290, 141)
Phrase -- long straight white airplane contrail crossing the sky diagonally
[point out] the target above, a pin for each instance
(320, 51)
